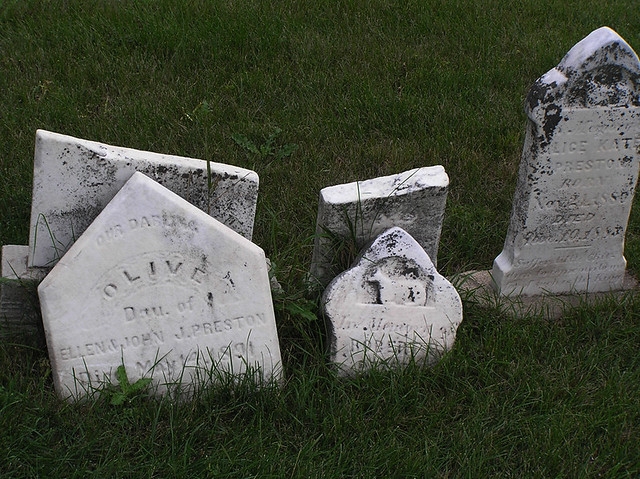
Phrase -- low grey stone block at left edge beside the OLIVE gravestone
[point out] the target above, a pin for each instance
(20, 320)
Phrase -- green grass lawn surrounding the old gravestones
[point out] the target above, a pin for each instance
(364, 89)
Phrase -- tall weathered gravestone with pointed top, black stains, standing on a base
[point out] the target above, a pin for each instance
(578, 174)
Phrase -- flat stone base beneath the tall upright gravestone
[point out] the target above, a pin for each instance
(479, 287)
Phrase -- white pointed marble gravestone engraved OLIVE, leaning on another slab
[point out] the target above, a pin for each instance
(157, 285)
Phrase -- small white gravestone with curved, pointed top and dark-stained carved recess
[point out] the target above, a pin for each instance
(390, 308)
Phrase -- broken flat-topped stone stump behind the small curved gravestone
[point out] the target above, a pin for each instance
(358, 212)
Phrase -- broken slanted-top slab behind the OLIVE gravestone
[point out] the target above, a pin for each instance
(74, 179)
